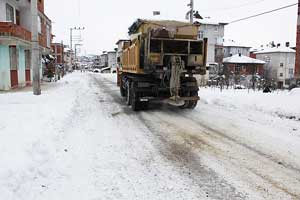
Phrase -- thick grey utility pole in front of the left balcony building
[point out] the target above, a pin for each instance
(35, 51)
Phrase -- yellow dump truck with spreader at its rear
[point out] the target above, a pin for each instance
(159, 61)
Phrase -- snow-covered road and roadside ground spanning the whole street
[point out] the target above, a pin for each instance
(80, 141)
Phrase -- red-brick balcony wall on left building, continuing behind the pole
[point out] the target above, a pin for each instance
(12, 30)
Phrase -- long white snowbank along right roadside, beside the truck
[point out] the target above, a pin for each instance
(282, 104)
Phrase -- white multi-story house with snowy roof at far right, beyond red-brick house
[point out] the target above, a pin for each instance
(280, 64)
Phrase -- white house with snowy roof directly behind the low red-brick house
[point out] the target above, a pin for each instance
(232, 47)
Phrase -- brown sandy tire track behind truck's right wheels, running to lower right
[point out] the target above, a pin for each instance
(207, 139)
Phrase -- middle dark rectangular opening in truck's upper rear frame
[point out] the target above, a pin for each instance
(175, 47)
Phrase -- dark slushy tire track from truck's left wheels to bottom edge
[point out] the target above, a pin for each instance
(181, 155)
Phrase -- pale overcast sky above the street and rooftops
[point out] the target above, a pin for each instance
(107, 21)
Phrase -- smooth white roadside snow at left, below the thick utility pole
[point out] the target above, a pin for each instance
(29, 127)
